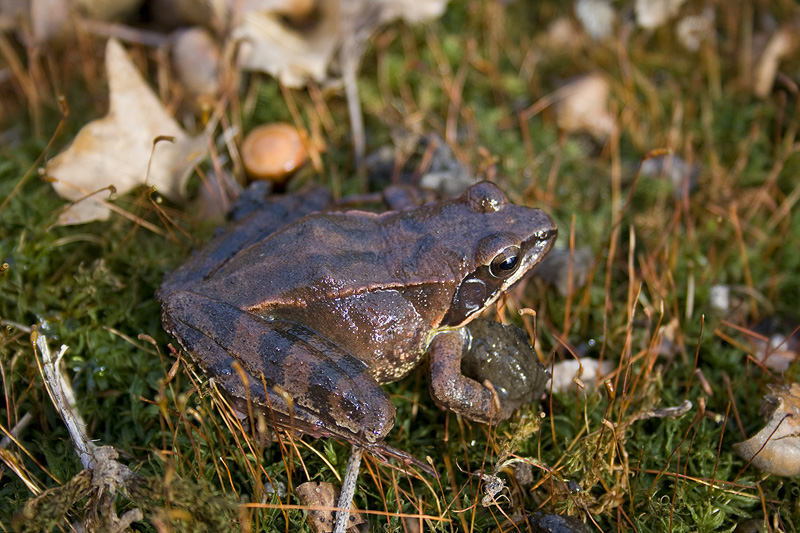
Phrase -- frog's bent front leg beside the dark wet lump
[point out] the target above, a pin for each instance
(452, 390)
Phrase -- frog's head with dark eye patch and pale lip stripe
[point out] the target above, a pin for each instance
(505, 242)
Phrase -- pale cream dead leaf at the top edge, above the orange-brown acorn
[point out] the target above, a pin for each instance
(268, 44)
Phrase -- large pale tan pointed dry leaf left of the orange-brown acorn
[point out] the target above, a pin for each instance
(117, 150)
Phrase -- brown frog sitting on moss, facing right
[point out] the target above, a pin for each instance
(305, 311)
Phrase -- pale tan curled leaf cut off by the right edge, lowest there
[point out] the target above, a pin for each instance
(776, 448)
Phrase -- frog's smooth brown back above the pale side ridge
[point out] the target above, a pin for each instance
(323, 256)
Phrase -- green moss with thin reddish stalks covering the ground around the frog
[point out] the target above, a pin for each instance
(91, 287)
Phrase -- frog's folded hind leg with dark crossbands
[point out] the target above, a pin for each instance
(300, 379)
